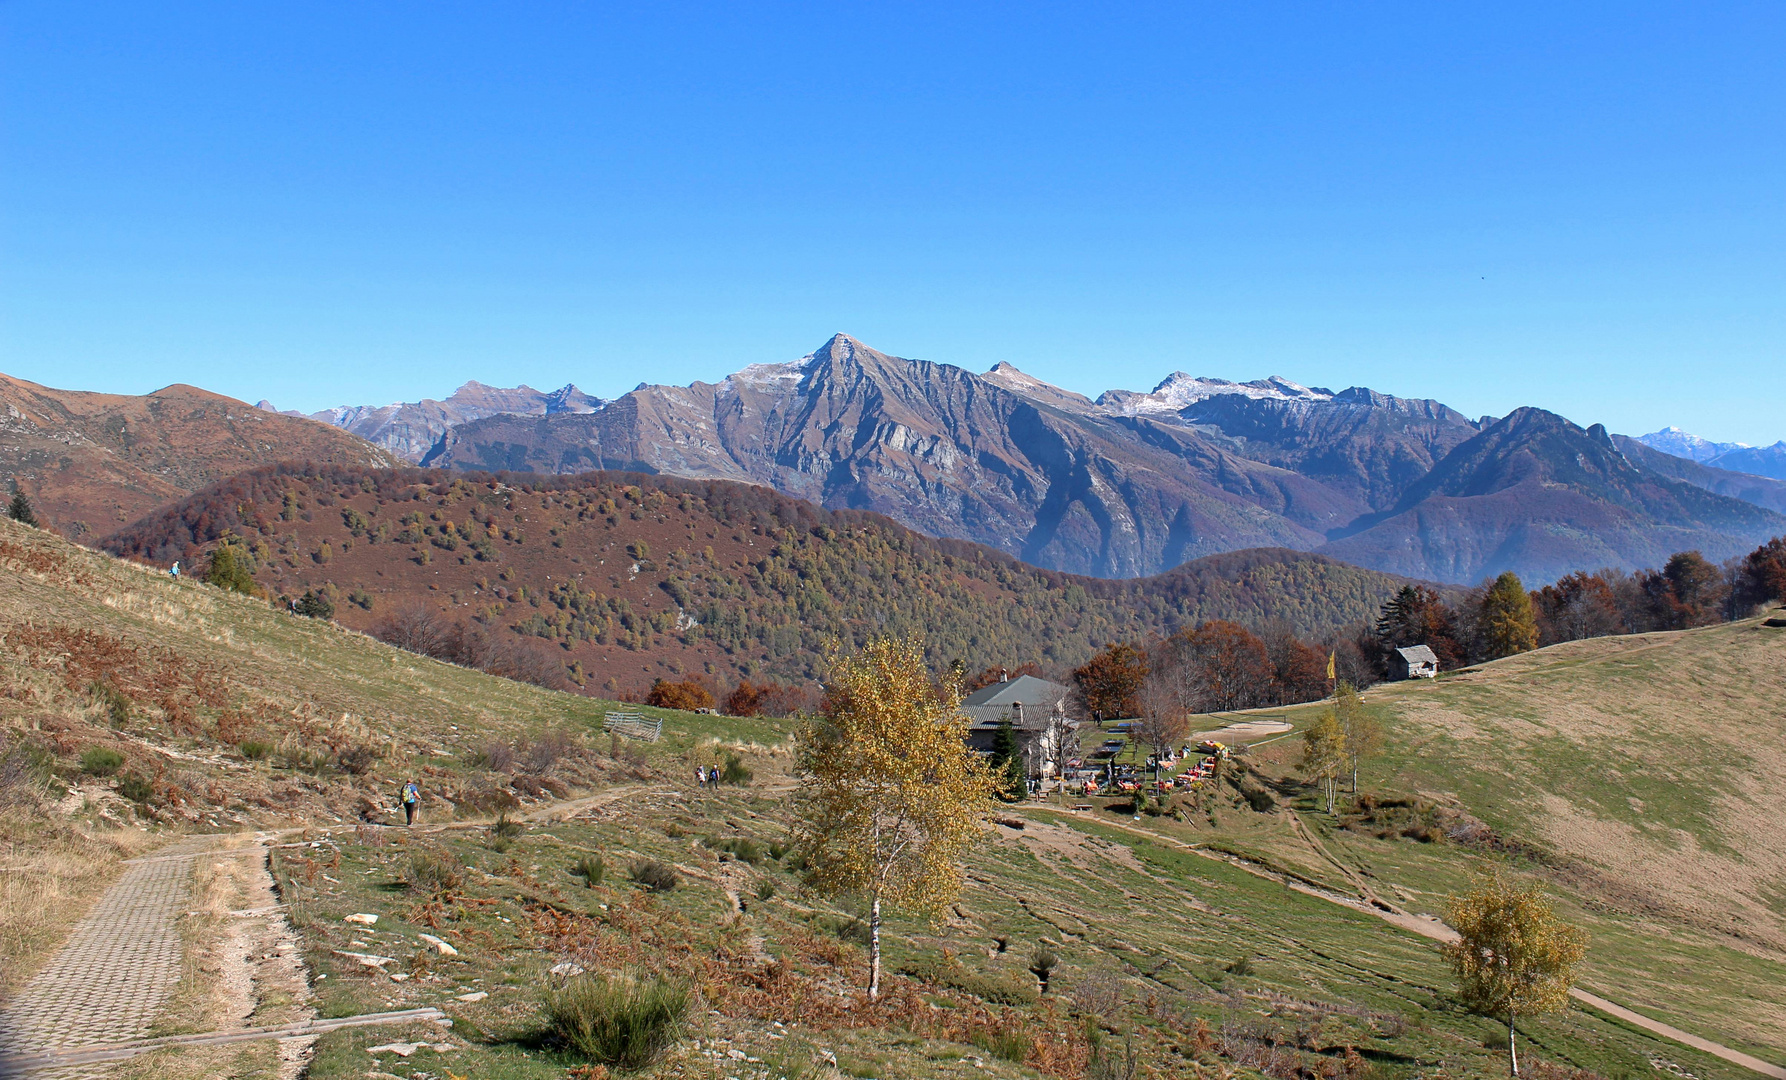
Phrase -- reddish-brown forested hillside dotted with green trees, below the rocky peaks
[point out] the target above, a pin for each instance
(624, 579)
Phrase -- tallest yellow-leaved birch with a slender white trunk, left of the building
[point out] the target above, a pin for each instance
(890, 793)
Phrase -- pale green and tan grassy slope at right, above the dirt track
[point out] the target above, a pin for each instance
(1642, 779)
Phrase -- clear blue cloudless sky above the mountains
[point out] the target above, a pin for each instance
(1556, 204)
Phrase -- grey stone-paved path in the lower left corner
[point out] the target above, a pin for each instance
(117, 968)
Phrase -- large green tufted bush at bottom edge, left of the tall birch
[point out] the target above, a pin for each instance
(622, 1022)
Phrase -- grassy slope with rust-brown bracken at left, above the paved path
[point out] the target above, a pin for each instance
(206, 672)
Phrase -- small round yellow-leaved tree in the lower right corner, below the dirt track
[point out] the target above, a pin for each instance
(1515, 958)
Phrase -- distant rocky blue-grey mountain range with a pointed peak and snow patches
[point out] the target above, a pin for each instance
(1131, 485)
